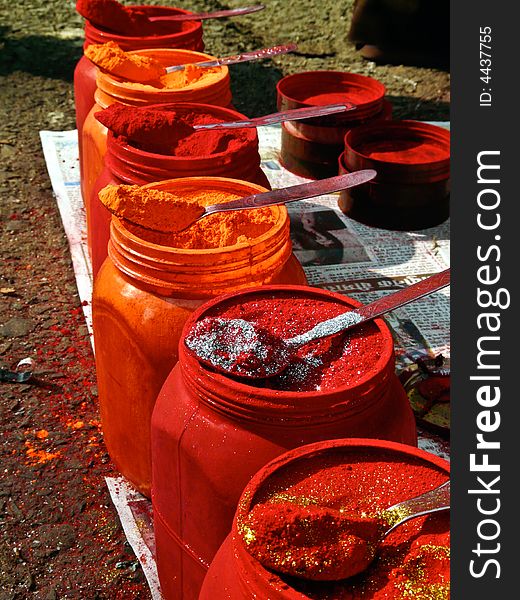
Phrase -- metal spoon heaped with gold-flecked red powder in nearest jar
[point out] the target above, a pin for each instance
(352, 542)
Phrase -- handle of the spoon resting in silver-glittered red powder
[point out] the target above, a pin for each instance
(374, 309)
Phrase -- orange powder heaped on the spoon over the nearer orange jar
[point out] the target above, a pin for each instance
(151, 209)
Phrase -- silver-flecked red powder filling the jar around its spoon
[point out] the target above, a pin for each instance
(324, 364)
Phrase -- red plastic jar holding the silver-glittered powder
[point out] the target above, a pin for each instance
(211, 433)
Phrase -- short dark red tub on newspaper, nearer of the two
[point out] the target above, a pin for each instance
(412, 188)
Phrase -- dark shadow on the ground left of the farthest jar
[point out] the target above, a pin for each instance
(43, 56)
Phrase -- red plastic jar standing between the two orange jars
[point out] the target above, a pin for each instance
(127, 164)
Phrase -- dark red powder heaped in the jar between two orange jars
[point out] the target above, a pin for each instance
(171, 132)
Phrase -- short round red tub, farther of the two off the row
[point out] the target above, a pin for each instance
(311, 148)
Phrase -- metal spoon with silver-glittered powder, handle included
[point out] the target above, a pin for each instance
(237, 347)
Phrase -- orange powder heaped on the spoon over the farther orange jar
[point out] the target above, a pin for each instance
(110, 57)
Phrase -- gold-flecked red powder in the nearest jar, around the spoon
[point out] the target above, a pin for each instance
(413, 561)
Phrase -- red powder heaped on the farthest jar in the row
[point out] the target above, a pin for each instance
(125, 20)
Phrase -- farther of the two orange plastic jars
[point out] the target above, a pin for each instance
(111, 89)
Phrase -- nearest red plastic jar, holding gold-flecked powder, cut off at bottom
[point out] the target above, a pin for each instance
(235, 575)
